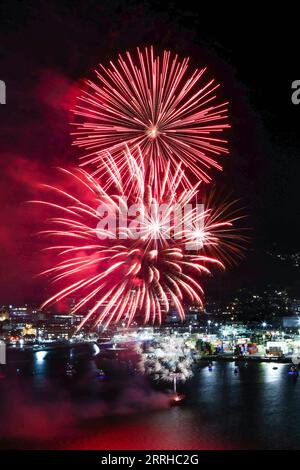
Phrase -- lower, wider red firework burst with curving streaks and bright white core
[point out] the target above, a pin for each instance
(145, 266)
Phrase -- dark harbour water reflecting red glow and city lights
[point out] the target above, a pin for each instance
(41, 407)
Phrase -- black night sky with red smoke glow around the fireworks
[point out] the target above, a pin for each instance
(47, 48)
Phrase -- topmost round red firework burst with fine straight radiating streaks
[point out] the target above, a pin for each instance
(152, 103)
